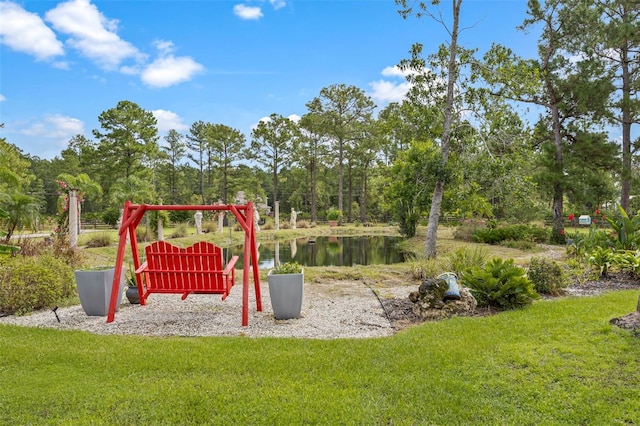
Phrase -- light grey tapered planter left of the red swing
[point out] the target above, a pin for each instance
(94, 290)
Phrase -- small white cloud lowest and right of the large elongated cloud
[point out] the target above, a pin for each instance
(170, 70)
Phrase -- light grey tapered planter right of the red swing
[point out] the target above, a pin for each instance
(286, 292)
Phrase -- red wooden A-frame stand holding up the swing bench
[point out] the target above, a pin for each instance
(132, 216)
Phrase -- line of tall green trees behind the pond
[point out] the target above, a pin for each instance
(459, 144)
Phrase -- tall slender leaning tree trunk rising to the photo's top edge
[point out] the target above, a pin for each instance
(438, 192)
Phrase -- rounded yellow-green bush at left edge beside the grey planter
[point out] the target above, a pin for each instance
(30, 283)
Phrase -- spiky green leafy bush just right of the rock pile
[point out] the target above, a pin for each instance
(500, 284)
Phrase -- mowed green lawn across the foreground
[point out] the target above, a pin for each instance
(556, 362)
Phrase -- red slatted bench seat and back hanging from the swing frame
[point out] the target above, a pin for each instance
(196, 269)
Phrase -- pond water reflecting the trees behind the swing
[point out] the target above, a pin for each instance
(328, 251)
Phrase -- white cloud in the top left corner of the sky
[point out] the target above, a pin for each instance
(25, 32)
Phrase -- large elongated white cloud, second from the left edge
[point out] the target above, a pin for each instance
(92, 33)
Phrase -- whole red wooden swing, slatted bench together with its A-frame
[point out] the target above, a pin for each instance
(195, 269)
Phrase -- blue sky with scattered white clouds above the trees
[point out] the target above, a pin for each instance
(62, 63)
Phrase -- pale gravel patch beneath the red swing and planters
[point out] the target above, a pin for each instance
(329, 311)
